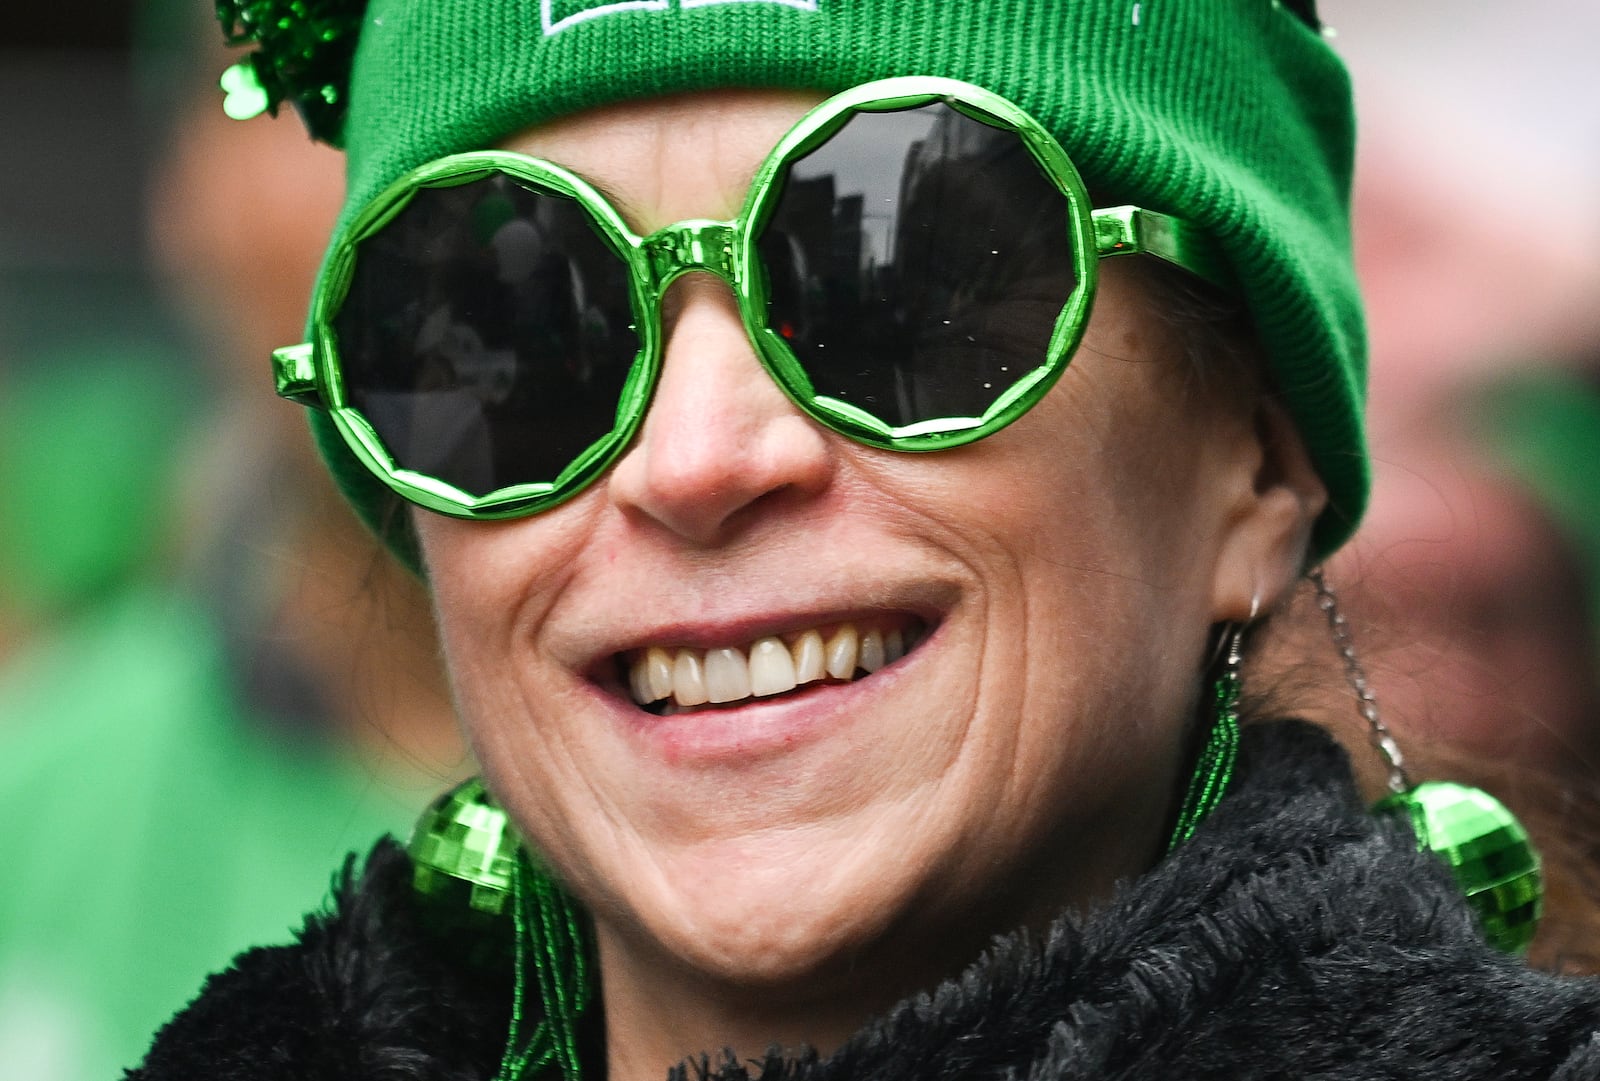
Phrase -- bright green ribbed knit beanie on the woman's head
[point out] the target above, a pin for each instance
(1233, 114)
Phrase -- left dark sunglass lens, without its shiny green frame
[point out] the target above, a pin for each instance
(487, 335)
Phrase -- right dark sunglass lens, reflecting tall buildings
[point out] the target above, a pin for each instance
(918, 263)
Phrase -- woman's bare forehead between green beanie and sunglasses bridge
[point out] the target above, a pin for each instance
(670, 159)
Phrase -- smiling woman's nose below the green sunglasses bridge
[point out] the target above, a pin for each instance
(721, 439)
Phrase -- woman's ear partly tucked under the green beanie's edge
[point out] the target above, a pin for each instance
(1266, 541)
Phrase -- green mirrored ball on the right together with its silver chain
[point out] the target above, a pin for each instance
(1479, 839)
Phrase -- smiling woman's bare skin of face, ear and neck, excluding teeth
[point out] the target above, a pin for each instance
(778, 871)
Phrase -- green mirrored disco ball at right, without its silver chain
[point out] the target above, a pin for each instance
(1487, 850)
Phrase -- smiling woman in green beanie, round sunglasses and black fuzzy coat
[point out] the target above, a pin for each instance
(842, 565)
